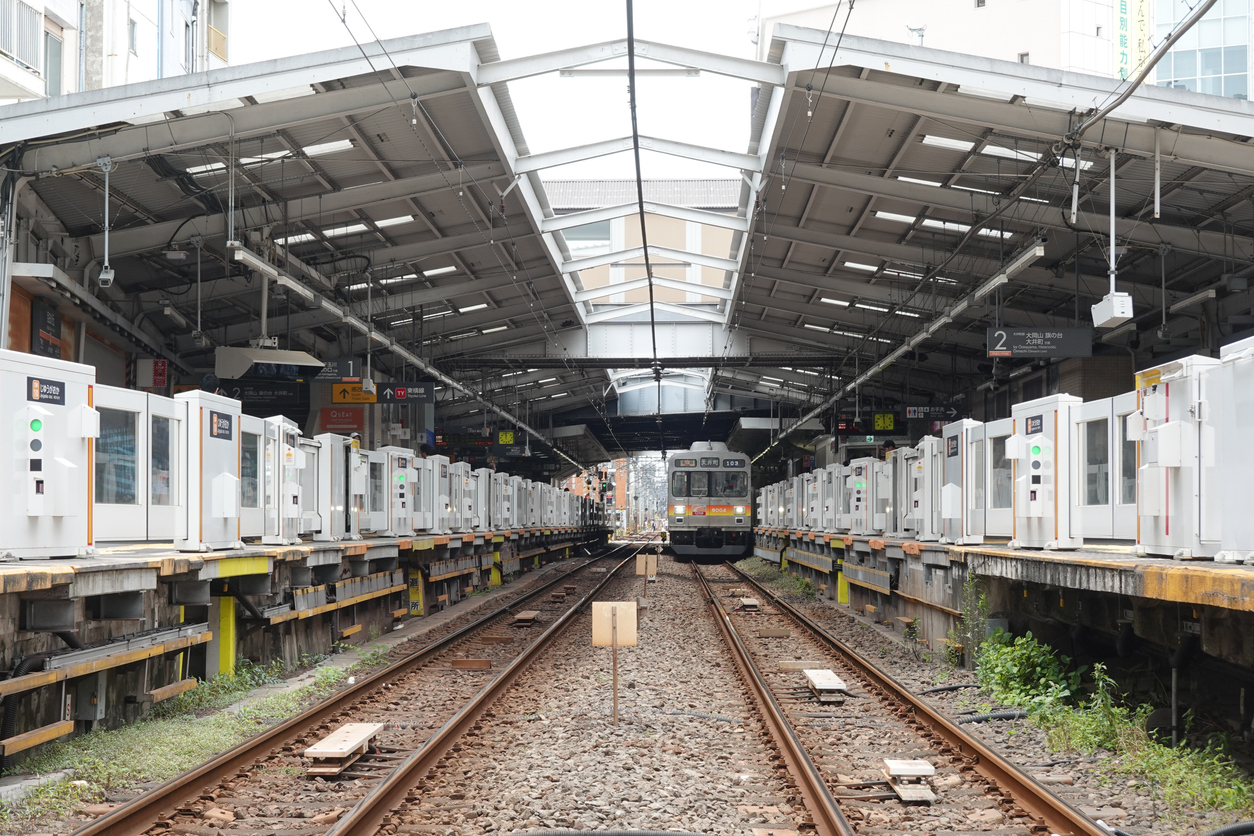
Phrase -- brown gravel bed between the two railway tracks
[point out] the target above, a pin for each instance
(689, 753)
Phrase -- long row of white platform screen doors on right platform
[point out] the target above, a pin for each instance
(1162, 469)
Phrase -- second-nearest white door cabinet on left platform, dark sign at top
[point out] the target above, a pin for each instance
(211, 477)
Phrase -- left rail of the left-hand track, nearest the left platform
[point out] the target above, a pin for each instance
(145, 812)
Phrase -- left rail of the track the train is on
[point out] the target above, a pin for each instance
(828, 818)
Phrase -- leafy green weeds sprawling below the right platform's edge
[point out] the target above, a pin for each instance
(1028, 674)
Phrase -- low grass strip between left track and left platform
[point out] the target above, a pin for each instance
(177, 736)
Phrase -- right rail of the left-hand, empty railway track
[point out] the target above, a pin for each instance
(369, 814)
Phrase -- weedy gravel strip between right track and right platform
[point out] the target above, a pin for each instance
(1087, 781)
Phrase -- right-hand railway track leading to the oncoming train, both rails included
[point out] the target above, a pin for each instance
(836, 745)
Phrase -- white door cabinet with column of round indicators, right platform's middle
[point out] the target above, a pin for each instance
(1046, 504)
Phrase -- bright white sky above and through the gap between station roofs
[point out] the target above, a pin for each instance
(555, 112)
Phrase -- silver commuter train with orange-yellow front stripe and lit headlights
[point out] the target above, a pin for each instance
(709, 493)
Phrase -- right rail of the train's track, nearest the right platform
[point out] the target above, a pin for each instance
(1059, 817)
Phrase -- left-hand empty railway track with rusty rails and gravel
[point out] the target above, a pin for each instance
(423, 703)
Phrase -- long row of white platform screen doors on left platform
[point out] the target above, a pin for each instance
(86, 464)
